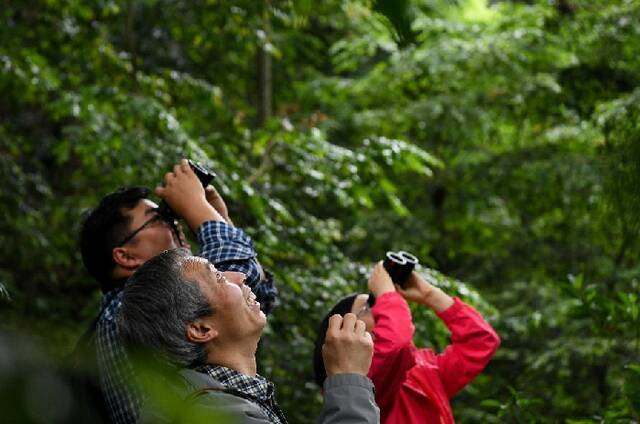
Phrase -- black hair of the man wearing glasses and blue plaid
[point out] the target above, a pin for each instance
(103, 228)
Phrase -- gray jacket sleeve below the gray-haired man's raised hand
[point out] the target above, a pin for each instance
(349, 399)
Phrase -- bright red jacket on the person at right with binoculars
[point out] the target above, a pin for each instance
(414, 385)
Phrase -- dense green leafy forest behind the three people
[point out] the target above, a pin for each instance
(499, 141)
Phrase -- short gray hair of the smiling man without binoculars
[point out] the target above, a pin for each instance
(158, 305)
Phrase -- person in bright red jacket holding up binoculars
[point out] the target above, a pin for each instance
(415, 385)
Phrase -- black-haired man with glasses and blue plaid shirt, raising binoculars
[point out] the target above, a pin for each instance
(124, 231)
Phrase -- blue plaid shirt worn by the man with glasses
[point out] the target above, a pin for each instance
(229, 249)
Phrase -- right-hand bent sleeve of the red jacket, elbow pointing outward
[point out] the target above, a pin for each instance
(473, 343)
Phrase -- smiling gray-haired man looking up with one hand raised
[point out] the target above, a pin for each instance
(208, 324)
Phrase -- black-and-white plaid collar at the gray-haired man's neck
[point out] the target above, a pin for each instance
(257, 388)
